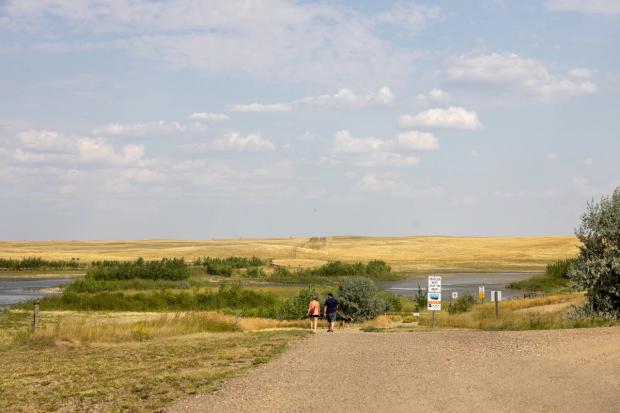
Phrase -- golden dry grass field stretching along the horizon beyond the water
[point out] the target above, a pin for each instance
(420, 253)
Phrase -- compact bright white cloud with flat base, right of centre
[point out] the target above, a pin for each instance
(451, 117)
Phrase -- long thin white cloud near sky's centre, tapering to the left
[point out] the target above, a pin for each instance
(342, 98)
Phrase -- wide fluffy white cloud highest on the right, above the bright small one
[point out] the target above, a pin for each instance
(513, 74)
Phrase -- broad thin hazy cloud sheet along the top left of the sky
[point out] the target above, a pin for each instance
(281, 40)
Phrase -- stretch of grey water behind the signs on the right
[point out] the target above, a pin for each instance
(460, 282)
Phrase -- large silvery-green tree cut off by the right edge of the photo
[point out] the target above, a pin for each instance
(597, 269)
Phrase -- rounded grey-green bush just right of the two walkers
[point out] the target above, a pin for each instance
(357, 297)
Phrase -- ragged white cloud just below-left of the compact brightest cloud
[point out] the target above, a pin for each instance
(371, 151)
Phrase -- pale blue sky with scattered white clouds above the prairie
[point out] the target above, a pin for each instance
(142, 119)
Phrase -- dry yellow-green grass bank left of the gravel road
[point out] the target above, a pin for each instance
(126, 362)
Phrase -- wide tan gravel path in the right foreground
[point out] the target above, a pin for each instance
(534, 371)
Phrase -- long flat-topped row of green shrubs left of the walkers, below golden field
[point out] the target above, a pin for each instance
(165, 269)
